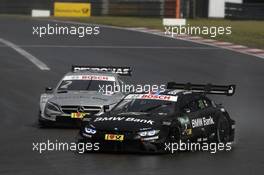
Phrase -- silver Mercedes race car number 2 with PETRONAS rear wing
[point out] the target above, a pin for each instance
(79, 93)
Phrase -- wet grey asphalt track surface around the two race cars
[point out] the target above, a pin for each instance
(154, 59)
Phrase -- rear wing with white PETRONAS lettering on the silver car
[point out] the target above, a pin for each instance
(113, 69)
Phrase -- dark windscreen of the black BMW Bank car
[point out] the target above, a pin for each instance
(144, 105)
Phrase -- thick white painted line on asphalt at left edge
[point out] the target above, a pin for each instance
(31, 58)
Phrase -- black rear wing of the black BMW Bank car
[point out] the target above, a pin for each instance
(228, 90)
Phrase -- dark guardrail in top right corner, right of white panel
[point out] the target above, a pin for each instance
(244, 11)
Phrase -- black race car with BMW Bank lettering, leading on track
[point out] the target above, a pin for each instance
(150, 122)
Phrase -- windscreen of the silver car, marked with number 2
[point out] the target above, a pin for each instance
(84, 85)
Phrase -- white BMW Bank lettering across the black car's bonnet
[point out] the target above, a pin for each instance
(129, 119)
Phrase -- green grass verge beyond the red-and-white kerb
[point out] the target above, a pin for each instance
(249, 33)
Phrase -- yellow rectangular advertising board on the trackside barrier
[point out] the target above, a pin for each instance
(72, 9)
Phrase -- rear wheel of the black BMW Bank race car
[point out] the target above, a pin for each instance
(222, 130)
